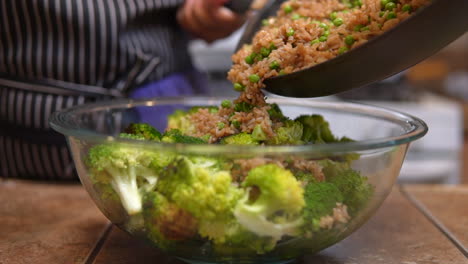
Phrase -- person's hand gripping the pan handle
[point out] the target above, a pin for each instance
(208, 19)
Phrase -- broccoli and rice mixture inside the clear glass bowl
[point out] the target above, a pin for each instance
(249, 203)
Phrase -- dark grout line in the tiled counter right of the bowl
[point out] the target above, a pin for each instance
(442, 228)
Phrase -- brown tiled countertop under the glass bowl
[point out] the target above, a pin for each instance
(58, 223)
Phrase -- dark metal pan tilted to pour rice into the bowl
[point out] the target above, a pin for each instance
(418, 37)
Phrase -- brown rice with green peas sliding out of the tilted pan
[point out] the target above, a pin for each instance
(308, 32)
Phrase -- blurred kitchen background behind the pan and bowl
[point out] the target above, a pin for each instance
(436, 90)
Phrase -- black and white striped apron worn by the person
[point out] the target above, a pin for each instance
(56, 54)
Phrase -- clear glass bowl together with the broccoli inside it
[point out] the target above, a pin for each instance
(204, 203)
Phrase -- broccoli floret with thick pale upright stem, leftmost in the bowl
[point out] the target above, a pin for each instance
(126, 170)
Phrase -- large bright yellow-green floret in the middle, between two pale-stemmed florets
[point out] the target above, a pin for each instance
(202, 189)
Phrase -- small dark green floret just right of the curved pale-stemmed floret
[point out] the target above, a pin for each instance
(321, 198)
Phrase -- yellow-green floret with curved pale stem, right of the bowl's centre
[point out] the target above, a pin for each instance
(274, 210)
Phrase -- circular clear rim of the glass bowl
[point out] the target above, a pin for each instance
(60, 121)
